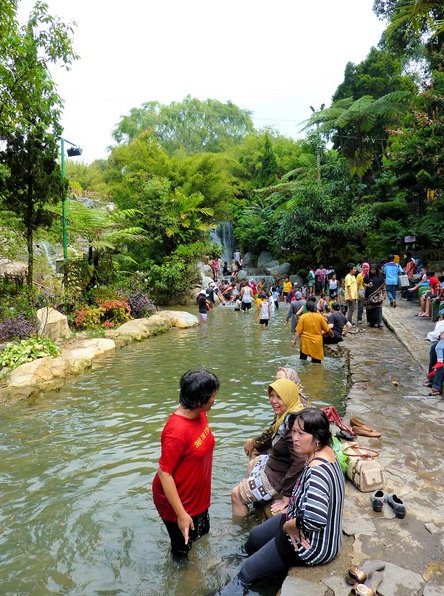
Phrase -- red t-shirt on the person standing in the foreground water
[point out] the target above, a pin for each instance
(187, 454)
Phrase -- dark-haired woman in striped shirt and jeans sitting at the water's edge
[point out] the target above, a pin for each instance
(310, 532)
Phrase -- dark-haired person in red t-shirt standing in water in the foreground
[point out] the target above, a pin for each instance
(182, 484)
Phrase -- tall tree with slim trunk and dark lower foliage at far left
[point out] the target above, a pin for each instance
(29, 115)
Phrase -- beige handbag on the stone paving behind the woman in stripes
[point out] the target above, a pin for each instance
(363, 468)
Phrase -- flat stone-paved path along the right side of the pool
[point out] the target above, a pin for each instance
(387, 392)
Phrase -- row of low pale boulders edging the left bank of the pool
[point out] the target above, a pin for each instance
(45, 374)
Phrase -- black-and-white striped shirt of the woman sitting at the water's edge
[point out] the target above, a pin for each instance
(317, 502)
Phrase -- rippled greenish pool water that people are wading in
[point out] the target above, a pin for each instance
(76, 515)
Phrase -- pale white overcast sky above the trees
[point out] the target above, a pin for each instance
(274, 59)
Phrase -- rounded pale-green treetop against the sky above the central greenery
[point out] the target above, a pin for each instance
(192, 125)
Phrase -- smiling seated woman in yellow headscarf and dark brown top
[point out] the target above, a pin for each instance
(273, 473)
